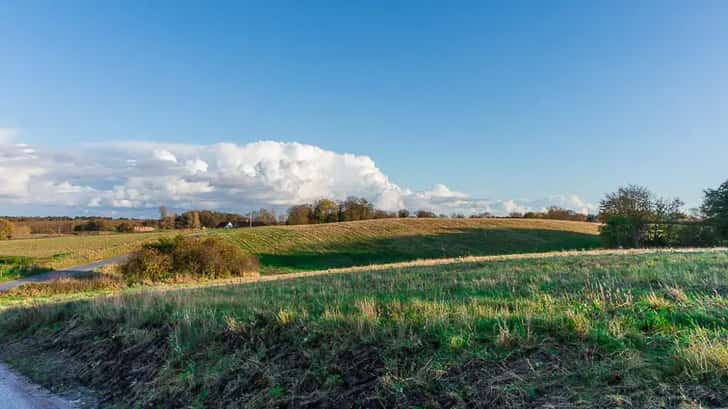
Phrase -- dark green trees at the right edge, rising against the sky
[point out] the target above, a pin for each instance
(633, 216)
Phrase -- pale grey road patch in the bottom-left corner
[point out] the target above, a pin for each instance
(16, 392)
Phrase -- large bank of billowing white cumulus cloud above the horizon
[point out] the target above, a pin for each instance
(134, 176)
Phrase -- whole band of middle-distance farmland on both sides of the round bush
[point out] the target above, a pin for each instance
(312, 247)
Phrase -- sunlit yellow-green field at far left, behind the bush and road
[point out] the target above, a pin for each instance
(66, 251)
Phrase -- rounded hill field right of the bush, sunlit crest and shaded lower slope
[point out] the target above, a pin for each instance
(314, 247)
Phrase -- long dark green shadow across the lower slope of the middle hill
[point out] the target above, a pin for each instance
(454, 243)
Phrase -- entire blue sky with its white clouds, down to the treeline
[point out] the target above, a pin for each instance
(116, 109)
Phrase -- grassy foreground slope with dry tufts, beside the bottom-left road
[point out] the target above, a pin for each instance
(591, 331)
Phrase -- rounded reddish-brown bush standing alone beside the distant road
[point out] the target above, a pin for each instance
(182, 258)
